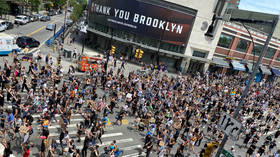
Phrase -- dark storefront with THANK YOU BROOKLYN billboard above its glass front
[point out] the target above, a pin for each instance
(162, 33)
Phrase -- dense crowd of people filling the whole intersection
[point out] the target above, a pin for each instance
(177, 112)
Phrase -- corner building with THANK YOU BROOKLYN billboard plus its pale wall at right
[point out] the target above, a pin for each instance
(169, 32)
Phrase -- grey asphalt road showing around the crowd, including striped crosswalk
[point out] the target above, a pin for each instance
(127, 139)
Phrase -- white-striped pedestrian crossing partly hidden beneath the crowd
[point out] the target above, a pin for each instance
(131, 146)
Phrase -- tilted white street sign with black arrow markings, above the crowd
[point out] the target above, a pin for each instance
(229, 125)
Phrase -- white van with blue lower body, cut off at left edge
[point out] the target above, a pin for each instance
(7, 44)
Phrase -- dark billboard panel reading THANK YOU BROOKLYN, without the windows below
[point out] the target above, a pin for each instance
(143, 18)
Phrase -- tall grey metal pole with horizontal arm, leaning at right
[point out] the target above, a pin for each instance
(252, 76)
